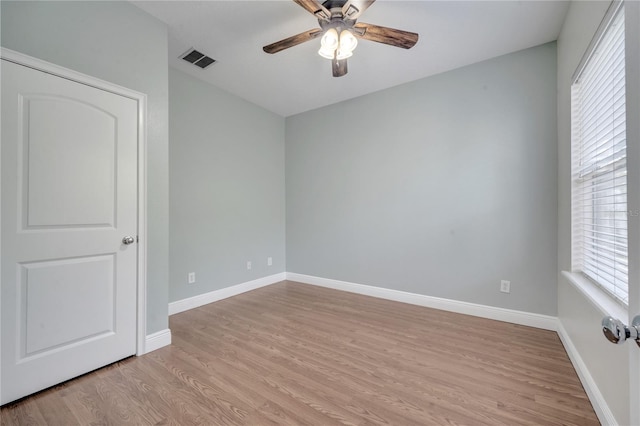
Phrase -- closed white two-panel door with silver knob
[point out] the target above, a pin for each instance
(69, 196)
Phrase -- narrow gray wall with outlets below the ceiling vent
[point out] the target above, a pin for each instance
(227, 188)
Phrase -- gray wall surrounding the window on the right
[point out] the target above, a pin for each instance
(578, 315)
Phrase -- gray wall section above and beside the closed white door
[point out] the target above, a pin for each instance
(117, 42)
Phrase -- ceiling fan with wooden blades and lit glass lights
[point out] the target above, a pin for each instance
(340, 31)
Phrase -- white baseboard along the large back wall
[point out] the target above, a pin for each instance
(545, 322)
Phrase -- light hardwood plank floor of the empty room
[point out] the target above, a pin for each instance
(297, 354)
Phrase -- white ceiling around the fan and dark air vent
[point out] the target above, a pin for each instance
(452, 34)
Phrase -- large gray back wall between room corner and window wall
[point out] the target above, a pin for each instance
(442, 187)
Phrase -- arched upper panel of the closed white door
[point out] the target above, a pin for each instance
(51, 169)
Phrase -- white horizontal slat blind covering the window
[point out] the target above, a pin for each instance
(599, 164)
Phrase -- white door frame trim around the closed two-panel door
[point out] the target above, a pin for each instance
(141, 99)
